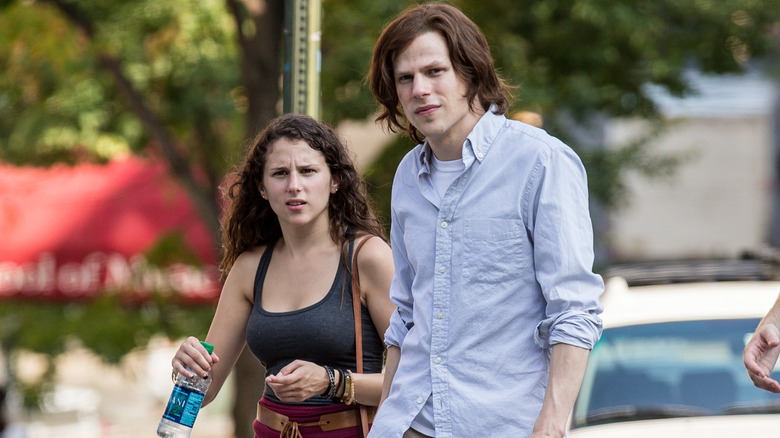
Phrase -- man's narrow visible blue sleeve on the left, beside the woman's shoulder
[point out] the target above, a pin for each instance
(400, 290)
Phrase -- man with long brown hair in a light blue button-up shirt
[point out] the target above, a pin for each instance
(492, 243)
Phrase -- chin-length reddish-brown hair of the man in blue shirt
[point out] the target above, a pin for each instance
(469, 54)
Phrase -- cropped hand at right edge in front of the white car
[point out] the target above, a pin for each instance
(761, 352)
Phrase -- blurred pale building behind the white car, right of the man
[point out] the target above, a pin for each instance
(723, 198)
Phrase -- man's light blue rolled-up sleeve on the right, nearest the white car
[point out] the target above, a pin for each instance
(563, 252)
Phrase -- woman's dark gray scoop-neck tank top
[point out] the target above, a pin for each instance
(323, 333)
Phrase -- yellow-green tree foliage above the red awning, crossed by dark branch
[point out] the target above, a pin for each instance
(54, 96)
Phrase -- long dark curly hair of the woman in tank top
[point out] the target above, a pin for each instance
(249, 220)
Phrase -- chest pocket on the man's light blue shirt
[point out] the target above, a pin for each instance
(493, 250)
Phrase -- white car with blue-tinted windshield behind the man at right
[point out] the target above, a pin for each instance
(669, 363)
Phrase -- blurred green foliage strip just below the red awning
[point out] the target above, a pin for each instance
(109, 326)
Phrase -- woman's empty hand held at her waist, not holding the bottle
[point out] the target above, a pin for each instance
(299, 381)
